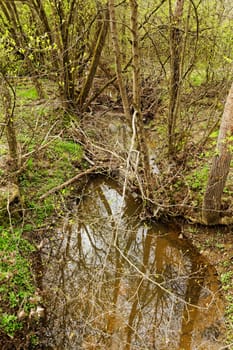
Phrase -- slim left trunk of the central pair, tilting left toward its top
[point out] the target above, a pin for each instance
(117, 53)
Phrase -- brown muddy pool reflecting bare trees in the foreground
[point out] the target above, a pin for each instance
(113, 282)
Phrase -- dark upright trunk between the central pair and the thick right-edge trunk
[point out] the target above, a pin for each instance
(175, 73)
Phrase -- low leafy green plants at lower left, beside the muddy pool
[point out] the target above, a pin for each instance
(16, 282)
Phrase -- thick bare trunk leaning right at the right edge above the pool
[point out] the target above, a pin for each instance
(220, 166)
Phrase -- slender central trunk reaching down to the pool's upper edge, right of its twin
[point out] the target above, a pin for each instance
(137, 99)
